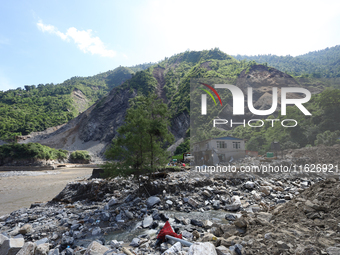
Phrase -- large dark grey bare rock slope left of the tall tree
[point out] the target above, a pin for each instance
(92, 130)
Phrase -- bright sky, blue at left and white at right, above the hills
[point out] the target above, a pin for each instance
(51, 41)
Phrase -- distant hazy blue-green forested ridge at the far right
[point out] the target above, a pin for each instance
(319, 64)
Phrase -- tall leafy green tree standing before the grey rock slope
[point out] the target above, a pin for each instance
(139, 147)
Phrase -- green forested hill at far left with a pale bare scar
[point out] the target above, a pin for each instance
(37, 107)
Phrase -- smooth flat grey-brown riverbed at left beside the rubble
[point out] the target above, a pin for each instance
(21, 189)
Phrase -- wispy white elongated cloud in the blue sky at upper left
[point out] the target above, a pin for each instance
(82, 38)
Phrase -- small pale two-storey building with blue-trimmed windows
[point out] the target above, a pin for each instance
(216, 150)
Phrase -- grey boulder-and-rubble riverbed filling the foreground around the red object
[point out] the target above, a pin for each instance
(234, 213)
